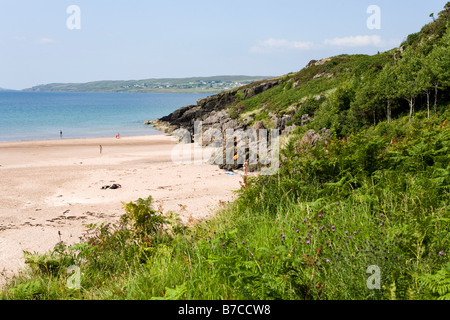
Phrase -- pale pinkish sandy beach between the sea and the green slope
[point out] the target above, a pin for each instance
(52, 187)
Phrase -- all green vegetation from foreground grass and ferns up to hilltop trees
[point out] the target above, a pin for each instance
(376, 193)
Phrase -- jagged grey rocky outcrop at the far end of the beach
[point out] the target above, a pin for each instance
(212, 113)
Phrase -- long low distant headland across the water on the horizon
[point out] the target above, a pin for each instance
(192, 85)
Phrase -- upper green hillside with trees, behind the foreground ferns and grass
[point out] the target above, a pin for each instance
(358, 90)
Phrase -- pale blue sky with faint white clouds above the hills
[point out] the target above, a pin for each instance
(50, 41)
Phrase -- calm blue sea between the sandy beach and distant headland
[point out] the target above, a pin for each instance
(41, 115)
